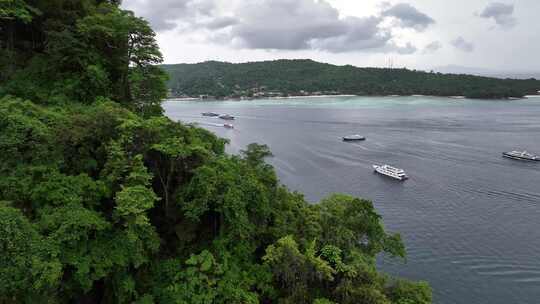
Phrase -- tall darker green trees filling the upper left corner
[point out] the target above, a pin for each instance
(56, 52)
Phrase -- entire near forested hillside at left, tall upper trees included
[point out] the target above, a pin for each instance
(105, 200)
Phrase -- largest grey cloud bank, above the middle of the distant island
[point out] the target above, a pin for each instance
(309, 24)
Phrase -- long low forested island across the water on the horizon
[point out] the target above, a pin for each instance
(282, 78)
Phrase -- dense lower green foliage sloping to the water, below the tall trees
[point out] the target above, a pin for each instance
(102, 205)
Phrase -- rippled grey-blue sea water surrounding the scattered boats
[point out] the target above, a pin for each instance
(470, 218)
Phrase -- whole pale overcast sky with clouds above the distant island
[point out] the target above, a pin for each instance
(499, 35)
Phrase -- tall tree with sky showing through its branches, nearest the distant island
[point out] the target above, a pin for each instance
(130, 52)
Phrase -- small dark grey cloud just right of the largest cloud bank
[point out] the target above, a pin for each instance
(408, 16)
